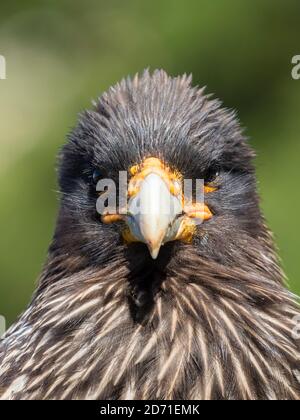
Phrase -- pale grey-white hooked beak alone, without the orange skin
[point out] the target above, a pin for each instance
(154, 213)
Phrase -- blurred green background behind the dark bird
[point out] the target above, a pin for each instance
(61, 54)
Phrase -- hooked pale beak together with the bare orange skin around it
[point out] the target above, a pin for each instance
(157, 211)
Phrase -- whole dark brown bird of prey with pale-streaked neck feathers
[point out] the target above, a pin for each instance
(170, 294)
